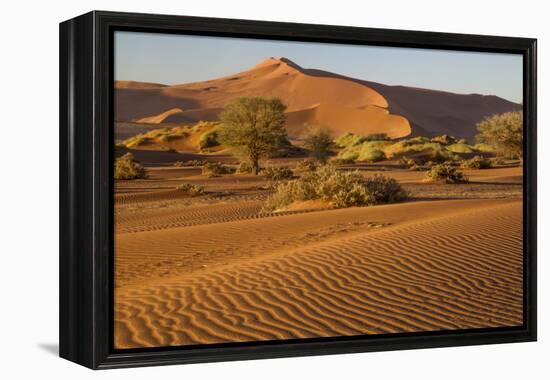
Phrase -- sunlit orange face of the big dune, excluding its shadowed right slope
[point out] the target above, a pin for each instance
(338, 103)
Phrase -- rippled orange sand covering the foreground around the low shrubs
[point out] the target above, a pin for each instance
(213, 269)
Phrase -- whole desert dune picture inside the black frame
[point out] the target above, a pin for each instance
(276, 190)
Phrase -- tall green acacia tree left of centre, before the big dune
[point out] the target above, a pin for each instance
(255, 127)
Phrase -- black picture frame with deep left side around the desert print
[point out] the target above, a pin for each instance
(86, 204)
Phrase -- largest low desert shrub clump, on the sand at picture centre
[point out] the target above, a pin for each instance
(340, 189)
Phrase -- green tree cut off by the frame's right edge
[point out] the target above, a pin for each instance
(504, 133)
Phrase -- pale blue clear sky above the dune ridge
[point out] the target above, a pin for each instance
(176, 59)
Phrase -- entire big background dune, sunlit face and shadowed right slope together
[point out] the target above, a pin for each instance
(313, 97)
